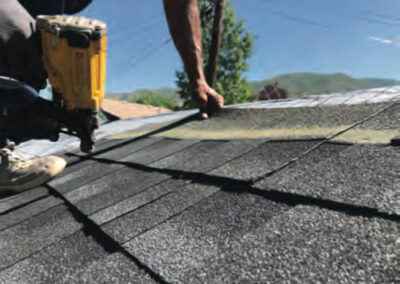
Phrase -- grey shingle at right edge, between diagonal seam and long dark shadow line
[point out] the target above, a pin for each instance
(360, 176)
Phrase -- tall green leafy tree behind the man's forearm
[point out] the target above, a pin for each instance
(236, 48)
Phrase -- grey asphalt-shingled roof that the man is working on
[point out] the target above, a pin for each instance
(173, 200)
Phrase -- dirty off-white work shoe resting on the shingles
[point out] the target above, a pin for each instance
(18, 174)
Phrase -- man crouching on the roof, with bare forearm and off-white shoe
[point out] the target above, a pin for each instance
(20, 59)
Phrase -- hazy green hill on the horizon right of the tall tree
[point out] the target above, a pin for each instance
(314, 83)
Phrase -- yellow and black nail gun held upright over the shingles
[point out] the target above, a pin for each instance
(74, 53)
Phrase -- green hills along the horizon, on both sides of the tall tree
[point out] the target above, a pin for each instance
(297, 84)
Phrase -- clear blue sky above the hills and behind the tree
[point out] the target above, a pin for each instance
(358, 37)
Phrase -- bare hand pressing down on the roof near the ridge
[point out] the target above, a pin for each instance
(208, 99)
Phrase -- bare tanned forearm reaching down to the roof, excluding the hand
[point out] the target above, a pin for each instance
(185, 27)
